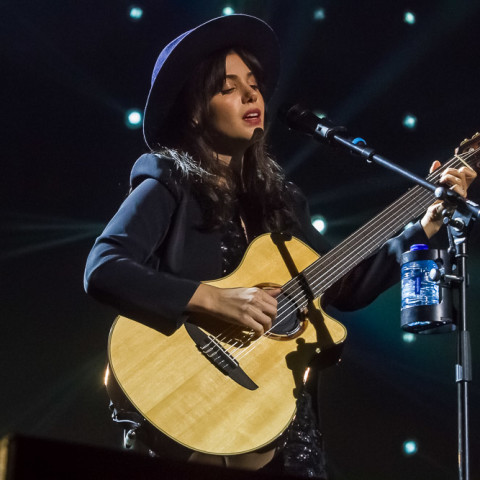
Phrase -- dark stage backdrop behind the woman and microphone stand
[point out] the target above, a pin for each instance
(70, 71)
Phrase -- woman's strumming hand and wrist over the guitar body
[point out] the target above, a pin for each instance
(252, 308)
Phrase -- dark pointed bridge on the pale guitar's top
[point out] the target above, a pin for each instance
(219, 357)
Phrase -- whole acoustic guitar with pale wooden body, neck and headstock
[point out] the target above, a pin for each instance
(216, 389)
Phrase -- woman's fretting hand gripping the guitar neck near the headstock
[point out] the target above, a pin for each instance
(459, 181)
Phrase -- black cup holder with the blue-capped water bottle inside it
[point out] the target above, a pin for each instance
(426, 303)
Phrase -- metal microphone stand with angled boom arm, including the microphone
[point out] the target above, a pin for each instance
(459, 222)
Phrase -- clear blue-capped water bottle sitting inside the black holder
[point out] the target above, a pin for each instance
(417, 287)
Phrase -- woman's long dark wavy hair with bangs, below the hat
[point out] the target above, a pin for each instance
(262, 190)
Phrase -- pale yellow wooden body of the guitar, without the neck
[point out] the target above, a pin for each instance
(178, 390)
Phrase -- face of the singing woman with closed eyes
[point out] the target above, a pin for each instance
(238, 109)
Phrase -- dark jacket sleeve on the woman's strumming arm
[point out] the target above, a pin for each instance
(118, 271)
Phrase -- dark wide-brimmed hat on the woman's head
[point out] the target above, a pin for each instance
(179, 57)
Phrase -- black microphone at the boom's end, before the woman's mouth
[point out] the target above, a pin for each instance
(303, 120)
